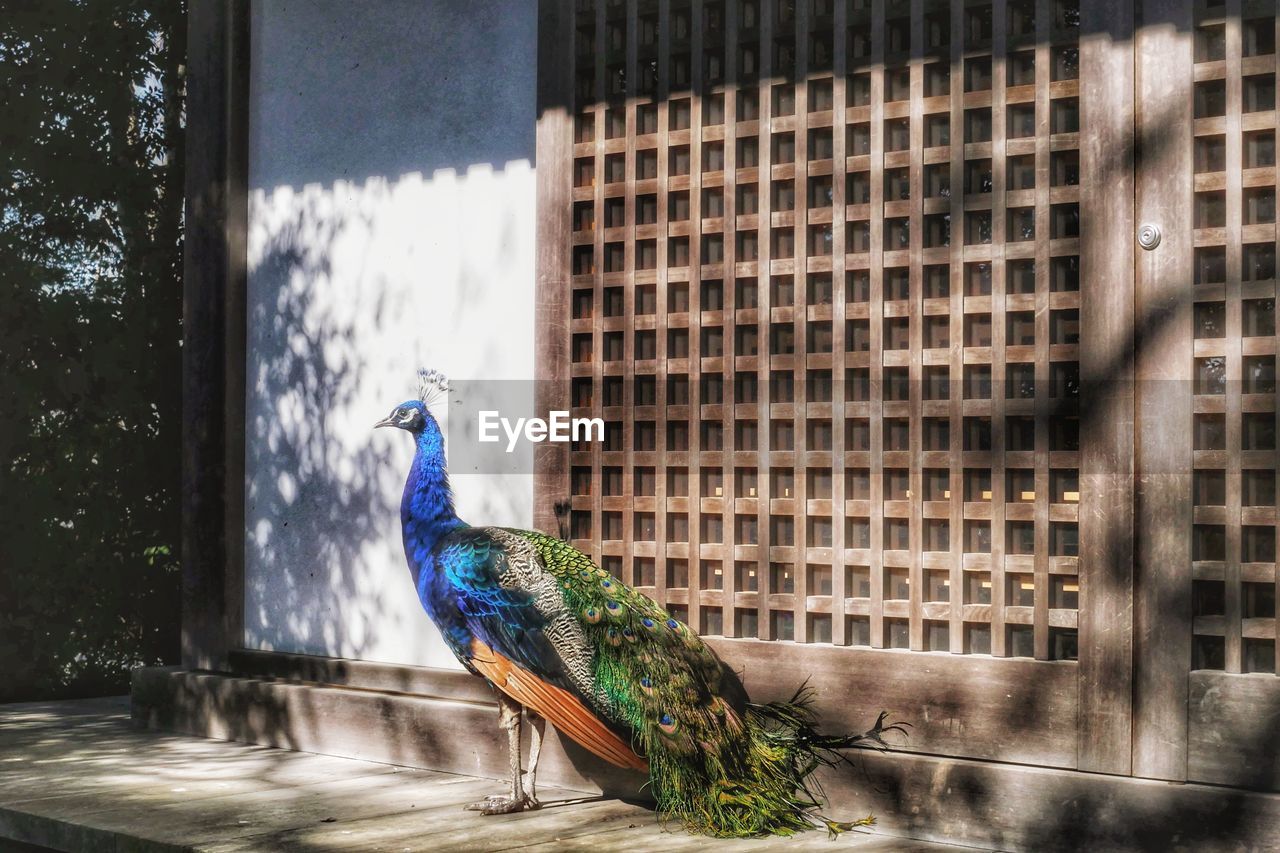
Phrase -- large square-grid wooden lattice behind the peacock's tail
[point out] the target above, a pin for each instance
(826, 297)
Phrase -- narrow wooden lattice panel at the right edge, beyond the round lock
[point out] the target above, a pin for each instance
(1235, 346)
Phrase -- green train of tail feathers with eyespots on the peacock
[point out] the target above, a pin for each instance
(719, 765)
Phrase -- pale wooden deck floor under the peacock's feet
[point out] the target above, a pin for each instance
(79, 777)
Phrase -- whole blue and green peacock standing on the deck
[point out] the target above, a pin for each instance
(565, 642)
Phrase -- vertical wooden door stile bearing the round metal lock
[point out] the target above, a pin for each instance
(1163, 624)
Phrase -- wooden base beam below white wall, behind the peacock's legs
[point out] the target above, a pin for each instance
(356, 711)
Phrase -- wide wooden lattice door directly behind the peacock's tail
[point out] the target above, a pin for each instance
(852, 285)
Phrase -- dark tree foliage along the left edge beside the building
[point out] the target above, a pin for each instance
(90, 330)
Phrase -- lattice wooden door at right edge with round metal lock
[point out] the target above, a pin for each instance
(1208, 703)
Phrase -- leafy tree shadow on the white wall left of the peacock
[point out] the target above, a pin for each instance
(313, 500)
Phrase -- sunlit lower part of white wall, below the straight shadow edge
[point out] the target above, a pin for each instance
(346, 299)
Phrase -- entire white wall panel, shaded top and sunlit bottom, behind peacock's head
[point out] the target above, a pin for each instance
(391, 227)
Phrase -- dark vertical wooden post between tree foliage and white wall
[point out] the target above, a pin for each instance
(214, 334)
